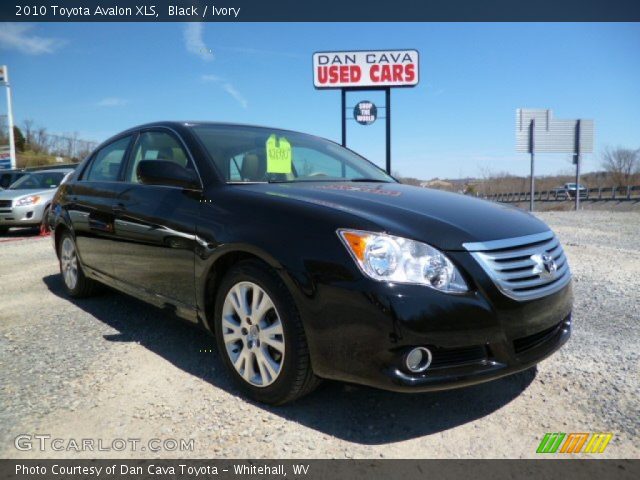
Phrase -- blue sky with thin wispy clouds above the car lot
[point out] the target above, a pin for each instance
(97, 79)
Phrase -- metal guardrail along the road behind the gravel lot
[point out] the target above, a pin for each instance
(620, 194)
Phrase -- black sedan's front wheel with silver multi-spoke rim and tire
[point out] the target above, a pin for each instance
(260, 335)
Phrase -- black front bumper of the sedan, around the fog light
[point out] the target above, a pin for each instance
(361, 331)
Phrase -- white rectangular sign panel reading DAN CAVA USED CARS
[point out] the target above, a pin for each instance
(366, 69)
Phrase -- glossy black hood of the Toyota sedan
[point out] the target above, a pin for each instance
(445, 220)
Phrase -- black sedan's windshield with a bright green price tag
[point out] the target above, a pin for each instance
(254, 154)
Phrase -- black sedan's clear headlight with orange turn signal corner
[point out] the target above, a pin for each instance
(395, 259)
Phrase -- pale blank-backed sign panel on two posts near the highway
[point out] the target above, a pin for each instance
(551, 135)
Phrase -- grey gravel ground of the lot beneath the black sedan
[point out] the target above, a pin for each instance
(112, 367)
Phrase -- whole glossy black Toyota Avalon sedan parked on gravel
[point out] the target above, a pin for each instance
(307, 261)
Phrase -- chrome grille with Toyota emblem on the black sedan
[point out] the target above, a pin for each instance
(520, 267)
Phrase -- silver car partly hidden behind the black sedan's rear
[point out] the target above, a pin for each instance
(26, 202)
